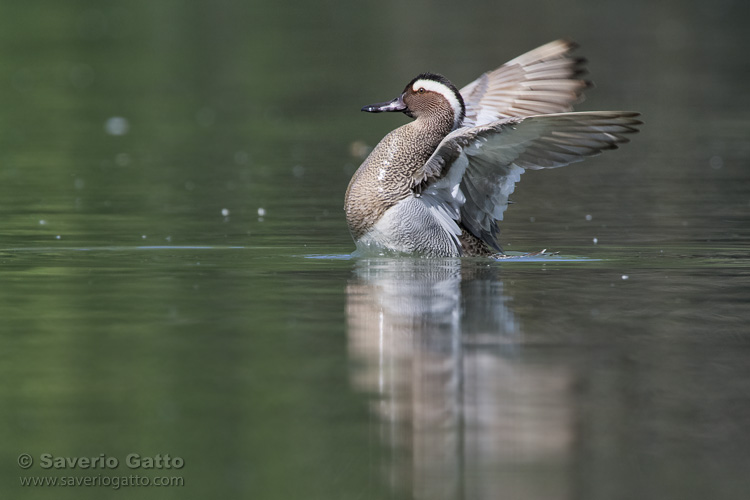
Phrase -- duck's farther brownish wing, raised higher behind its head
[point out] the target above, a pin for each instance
(545, 80)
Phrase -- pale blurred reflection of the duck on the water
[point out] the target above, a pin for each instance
(438, 345)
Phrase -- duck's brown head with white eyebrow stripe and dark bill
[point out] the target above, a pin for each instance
(426, 96)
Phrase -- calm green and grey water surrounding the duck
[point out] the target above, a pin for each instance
(176, 275)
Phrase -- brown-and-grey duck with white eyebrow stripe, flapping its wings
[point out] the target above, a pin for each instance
(438, 185)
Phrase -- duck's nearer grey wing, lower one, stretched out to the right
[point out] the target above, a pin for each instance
(474, 170)
